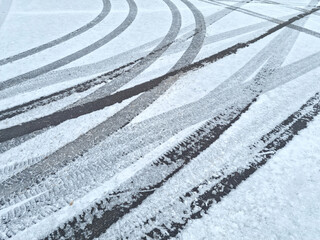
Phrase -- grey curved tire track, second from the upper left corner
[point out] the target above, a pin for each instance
(74, 56)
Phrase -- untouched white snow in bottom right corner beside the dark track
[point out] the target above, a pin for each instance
(280, 201)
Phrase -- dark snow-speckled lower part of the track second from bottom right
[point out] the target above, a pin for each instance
(111, 210)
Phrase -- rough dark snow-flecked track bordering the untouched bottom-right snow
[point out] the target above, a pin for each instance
(280, 136)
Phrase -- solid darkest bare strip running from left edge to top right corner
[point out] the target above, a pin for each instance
(167, 79)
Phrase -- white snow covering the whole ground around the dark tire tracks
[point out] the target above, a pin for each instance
(279, 201)
